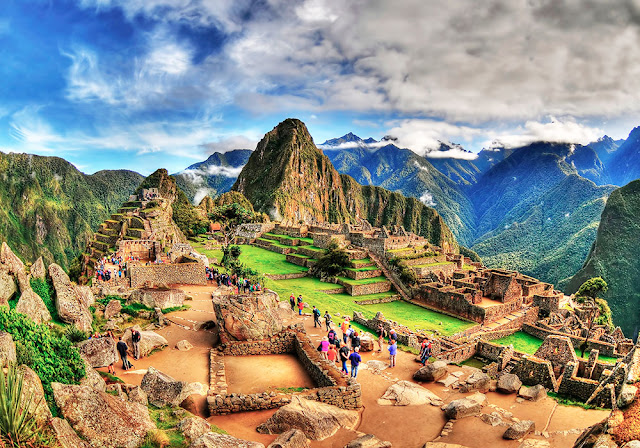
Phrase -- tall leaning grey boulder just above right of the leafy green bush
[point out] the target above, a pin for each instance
(71, 307)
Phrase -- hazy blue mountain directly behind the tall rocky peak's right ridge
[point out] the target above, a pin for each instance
(406, 172)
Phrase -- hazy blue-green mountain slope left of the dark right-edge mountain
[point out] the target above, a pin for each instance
(550, 237)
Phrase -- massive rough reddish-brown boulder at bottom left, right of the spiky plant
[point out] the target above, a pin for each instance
(103, 420)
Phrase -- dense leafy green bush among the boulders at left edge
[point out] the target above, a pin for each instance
(52, 357)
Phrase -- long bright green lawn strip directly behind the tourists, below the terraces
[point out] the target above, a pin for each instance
(405, 313)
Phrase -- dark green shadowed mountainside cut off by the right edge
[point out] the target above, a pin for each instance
(614, 257)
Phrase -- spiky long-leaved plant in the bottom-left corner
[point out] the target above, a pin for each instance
(17, 423)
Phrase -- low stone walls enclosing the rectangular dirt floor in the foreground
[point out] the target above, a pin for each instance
(332, 387)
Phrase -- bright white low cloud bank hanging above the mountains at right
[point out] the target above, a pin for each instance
(554, 130)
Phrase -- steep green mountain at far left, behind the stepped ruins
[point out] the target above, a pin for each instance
(49, 208)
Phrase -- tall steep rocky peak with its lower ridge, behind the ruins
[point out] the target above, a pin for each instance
(290, 179)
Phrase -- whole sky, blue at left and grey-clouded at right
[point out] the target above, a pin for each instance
(142, 84)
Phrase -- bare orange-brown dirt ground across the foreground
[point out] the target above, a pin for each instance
(403, 426)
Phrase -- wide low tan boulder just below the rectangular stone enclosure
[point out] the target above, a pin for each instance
(317, 420)
